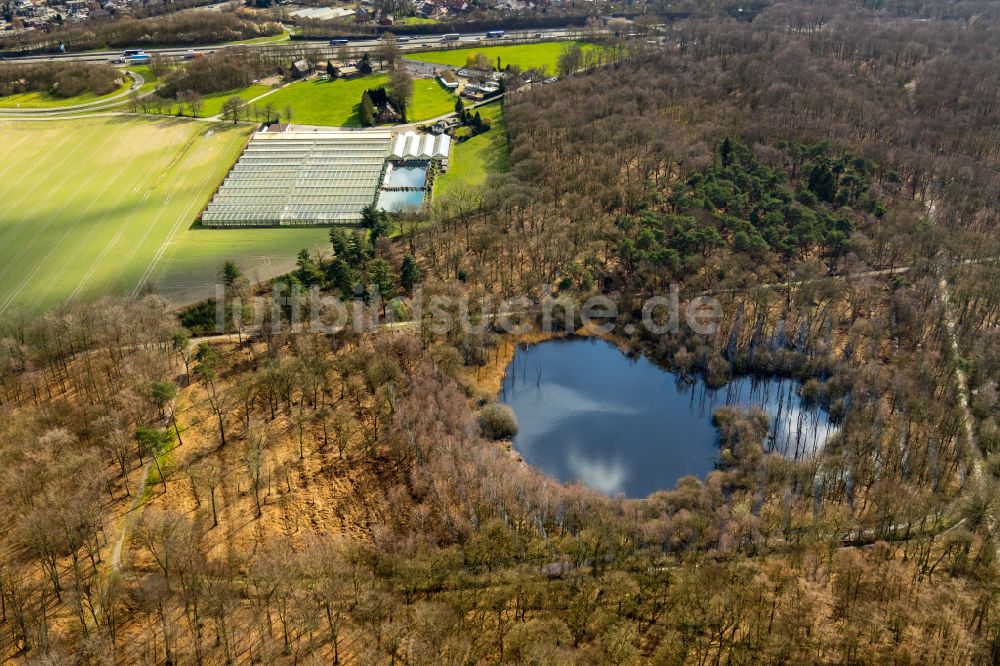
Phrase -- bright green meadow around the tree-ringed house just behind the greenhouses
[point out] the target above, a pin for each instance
(337, 103)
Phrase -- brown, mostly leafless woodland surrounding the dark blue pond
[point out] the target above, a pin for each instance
(829, 173)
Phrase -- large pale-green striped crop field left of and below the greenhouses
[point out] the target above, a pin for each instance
(106, 205)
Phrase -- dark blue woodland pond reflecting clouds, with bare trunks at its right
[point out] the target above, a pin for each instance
(624, 426)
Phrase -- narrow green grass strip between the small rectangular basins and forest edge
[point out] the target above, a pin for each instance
(473, 160)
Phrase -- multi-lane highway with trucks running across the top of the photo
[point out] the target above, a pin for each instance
(415, 43)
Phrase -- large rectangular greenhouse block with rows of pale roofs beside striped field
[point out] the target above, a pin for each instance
(301, 178)
